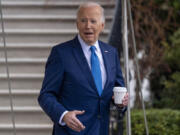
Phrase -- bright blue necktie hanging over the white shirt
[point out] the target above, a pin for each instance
(95, 69)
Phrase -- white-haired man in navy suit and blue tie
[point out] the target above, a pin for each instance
(78, 83)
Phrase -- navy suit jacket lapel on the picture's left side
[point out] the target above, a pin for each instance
(83, 64)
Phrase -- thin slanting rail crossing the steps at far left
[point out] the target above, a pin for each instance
(7, 70)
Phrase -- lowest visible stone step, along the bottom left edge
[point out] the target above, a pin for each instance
(26, 129)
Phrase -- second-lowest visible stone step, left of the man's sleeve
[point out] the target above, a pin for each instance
(24, 115)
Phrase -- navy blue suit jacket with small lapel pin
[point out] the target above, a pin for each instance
(68, 85)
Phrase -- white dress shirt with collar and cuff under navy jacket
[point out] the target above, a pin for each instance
(87, 52)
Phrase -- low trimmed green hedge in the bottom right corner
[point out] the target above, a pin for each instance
(160, 122)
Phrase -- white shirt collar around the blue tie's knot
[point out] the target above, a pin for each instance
(86, 47)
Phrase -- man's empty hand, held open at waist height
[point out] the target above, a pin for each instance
(72, 121)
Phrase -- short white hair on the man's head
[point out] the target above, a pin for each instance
(92, 4)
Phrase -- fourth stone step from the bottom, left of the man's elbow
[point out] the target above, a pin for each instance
(22, 81)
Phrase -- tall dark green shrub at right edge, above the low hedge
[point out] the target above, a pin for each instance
(165, 81)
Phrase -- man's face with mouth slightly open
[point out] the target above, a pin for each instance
(89, 24)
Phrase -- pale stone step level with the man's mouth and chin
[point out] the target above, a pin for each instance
(44, 36)
